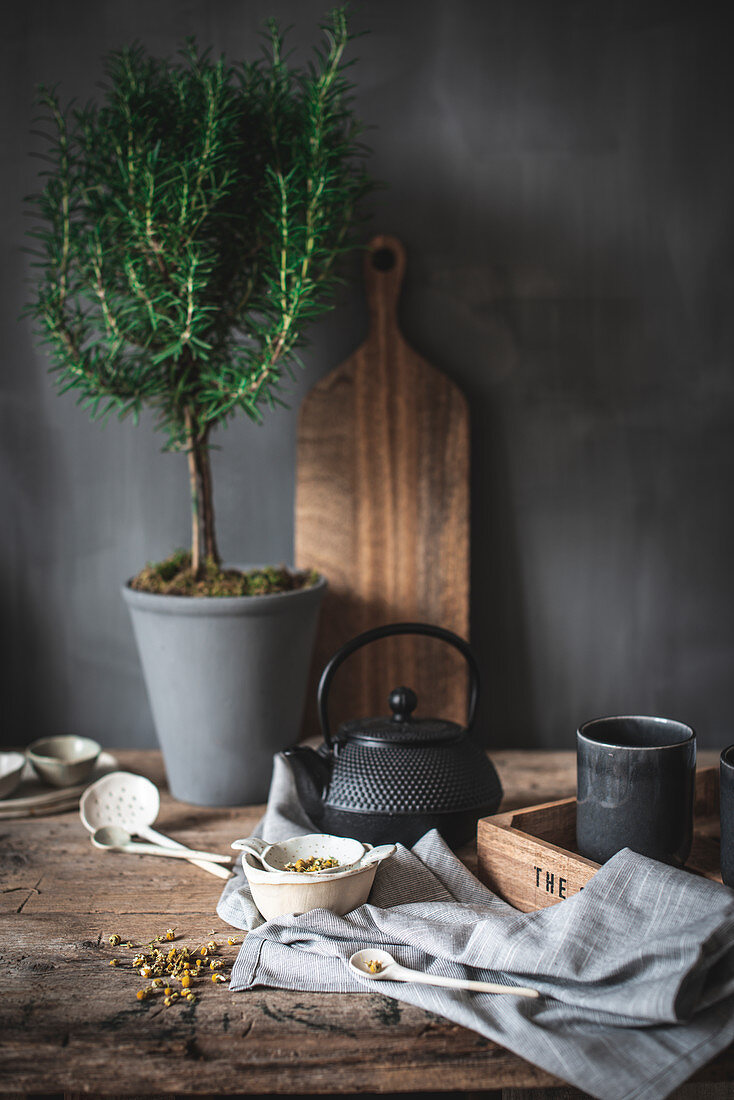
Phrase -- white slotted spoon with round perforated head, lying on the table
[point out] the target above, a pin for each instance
(133, 802)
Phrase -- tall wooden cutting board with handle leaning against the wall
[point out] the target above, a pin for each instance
(382, 510)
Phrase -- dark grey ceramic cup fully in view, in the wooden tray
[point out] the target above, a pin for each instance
(637, 778)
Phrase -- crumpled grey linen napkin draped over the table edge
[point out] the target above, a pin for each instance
(638, 971)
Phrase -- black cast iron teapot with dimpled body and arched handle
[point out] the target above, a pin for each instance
(384, 780)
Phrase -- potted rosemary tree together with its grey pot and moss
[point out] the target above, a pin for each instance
(189, 230)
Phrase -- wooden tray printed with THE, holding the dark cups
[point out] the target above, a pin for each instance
(529, 856)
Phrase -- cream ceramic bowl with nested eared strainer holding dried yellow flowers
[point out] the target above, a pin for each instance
(279, 894)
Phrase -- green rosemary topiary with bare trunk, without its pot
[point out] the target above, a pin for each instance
(190, 229)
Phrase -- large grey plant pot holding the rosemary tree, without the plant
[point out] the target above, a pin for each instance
(226, 679)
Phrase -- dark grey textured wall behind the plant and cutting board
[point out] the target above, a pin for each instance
(562, 174)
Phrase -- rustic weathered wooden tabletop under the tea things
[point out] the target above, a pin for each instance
(71, 1026)
